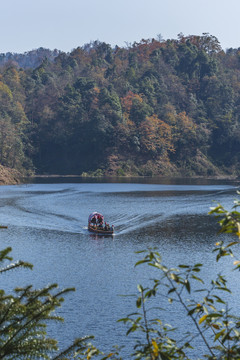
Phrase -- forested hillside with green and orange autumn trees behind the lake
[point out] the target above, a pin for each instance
(156, 107)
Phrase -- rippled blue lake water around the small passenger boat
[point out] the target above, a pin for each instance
(47, 226)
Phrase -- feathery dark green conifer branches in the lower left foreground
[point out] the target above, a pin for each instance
(24, 316)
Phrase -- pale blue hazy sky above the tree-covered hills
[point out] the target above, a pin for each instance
(67, 24)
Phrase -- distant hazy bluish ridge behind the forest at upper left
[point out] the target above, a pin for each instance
(29, 59)
